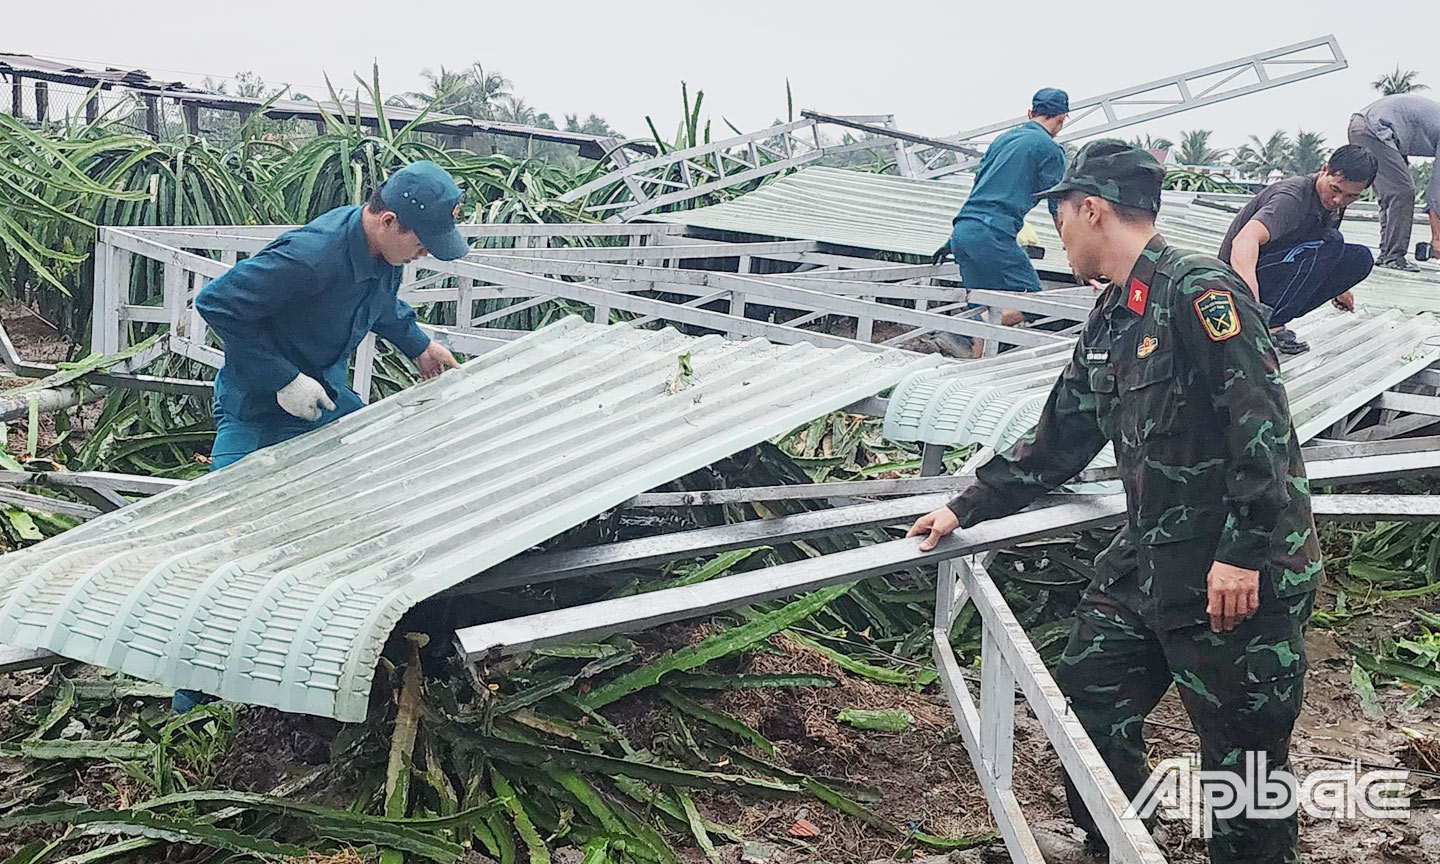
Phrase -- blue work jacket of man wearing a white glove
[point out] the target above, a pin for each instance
(302, 306)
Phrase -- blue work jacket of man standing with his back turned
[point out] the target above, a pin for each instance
(1019, 165)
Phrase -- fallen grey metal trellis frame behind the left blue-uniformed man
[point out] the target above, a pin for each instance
(523, 273)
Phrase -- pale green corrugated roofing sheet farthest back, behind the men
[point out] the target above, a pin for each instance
(914, 217)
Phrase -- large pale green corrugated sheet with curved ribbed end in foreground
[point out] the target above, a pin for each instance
(279, 580)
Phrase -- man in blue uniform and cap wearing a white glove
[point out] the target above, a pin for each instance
(293, 315)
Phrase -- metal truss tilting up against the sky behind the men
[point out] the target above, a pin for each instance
(1164, 97)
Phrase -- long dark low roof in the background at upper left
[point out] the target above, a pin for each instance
(140, 83)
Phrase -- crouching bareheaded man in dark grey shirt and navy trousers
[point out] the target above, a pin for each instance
(1287, 243)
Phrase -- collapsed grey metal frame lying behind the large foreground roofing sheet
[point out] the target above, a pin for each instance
(822, 297)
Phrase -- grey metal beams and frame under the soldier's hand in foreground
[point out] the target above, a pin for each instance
(1007, 657)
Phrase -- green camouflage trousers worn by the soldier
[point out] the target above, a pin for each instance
(1242, 690)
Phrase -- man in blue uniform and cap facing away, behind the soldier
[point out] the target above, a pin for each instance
(1014, 169)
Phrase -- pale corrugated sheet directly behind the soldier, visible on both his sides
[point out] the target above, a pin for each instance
(1354, 358)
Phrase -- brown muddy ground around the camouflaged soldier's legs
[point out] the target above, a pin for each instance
(925, 775)
